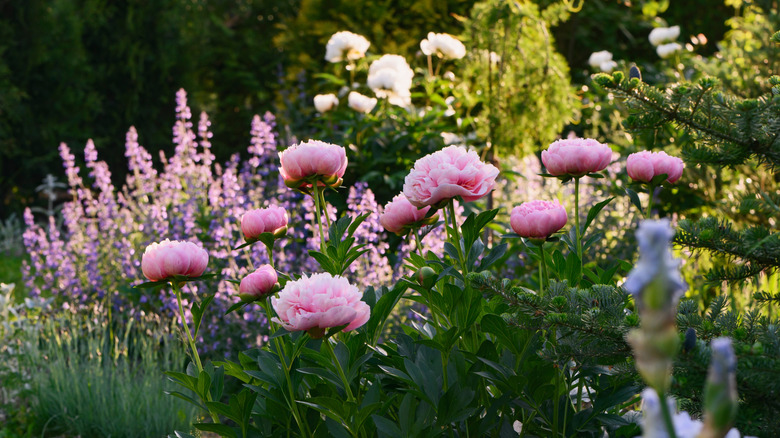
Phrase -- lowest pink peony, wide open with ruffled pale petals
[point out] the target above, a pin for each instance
(318, 302)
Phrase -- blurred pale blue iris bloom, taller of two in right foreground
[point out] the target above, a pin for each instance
(657, 272)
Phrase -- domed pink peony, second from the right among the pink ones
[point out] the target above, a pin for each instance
(576, 157)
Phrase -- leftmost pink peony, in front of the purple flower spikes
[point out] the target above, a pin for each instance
(163, 260)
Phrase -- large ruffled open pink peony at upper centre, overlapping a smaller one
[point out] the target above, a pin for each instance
(450, 172)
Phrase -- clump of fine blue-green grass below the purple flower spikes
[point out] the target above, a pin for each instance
(97, 380)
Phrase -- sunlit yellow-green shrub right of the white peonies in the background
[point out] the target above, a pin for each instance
(517, 88)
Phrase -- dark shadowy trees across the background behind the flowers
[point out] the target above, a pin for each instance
(77, 69)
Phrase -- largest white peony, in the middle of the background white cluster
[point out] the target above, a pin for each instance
(390, 76)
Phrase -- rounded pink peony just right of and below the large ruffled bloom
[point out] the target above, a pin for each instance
(538, 219)
